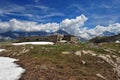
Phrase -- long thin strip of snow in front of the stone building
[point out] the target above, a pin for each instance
(34, 43)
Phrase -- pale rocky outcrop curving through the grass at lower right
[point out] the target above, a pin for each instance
(113, 60)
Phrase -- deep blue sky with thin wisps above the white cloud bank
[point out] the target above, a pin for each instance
(98, 12)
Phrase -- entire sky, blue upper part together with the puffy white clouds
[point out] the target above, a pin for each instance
(72, 16)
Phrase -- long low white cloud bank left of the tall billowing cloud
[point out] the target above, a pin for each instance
(26, 26)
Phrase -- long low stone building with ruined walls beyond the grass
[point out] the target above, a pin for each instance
(52, 38)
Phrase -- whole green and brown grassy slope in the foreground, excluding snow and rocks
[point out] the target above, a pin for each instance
(61, 67)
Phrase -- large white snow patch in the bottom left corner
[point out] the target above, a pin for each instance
(9, 70)
